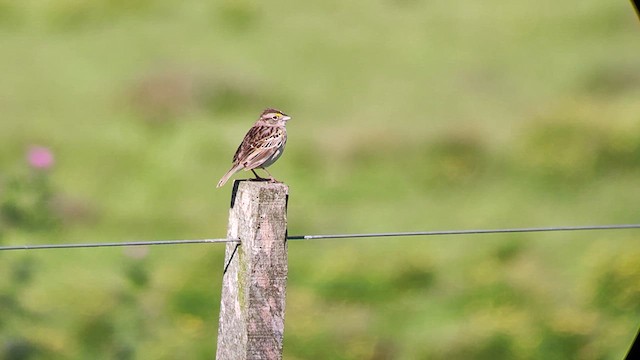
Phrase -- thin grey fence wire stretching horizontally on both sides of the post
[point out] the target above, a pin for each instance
(329, 236)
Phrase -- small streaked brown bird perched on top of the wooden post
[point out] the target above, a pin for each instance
(261, 146)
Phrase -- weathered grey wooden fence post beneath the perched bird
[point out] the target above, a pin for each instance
(253, 287)
